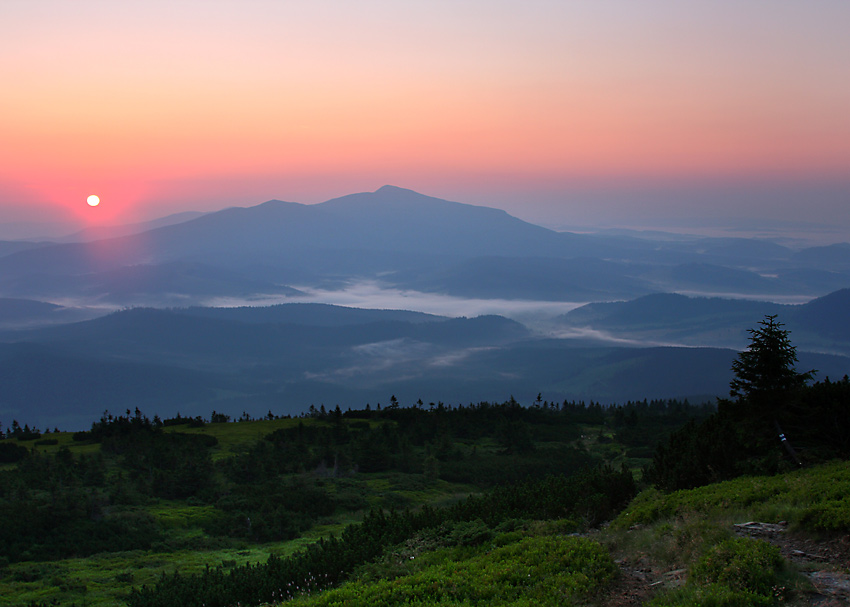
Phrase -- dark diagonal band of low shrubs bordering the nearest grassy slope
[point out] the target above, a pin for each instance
(586, 498)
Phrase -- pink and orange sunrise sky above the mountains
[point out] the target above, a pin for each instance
(607, 112)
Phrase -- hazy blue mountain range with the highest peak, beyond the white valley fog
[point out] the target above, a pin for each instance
(403, 239)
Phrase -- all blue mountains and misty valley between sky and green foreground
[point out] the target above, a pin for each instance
(496, 307)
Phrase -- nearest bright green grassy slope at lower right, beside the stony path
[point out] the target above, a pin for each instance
(687, 531)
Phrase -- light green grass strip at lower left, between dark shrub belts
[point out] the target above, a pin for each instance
(103, 579)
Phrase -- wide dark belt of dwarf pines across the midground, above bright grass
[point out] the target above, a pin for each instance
(67, 504)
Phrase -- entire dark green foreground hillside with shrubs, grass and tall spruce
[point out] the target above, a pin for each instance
(436, 502)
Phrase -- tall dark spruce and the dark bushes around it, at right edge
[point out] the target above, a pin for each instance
(773, 421)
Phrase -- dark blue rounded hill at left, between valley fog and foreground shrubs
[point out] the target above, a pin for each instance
(169, 360)
